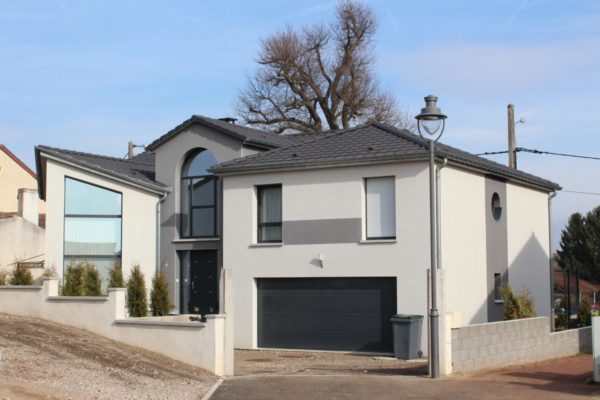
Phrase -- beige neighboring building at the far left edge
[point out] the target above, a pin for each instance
(22, 217)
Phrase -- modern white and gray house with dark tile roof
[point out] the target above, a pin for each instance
(327, 235)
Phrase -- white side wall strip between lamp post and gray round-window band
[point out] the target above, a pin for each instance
(464, 244)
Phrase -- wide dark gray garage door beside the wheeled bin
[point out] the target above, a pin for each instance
(326, 313)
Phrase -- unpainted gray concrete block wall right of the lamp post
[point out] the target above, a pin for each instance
(500, 344)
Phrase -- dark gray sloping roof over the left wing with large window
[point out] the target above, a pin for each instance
(139, 170)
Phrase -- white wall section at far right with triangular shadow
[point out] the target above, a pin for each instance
(528, 252)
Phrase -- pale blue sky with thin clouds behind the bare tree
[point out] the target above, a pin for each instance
(91, 75)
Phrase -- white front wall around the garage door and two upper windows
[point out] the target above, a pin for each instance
(327, 194)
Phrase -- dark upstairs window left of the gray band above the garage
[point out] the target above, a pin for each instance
(269, 213)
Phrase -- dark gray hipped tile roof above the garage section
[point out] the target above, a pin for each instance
(371, 143)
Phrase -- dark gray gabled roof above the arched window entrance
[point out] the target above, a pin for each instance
(249, 136)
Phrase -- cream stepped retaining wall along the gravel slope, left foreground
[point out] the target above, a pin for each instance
(195, 343)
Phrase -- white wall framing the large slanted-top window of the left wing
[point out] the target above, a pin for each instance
(138, 219)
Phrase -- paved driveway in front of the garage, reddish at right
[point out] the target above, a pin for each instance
(564, 378)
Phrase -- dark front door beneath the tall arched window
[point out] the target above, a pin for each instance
(200, 283)
